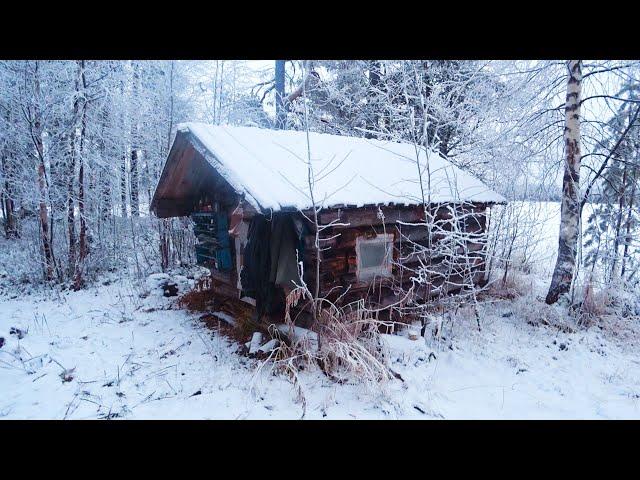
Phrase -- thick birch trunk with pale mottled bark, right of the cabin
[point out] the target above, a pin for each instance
(570, 210)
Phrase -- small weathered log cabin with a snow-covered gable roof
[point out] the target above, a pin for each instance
(350, 217)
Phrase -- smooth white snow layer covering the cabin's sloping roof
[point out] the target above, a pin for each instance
(269, 167)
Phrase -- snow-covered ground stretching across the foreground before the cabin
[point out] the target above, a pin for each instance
(105, 352)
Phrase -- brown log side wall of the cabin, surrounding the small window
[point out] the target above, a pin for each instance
(338, 267)
